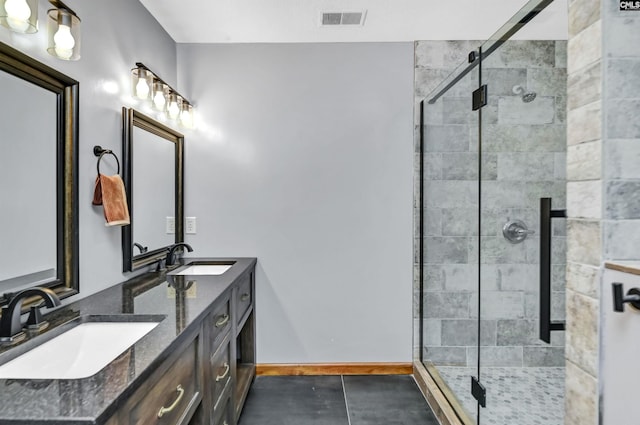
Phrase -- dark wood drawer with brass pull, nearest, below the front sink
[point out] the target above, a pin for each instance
(172, 395)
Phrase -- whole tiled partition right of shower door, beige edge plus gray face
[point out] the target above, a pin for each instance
(604, 179)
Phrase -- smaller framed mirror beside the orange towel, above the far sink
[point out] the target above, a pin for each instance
(153, 178)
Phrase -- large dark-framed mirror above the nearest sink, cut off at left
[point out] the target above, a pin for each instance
(38, 176)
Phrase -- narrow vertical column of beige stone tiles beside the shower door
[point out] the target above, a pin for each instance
(585, 173)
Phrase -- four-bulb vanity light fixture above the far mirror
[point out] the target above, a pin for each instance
(149, 87)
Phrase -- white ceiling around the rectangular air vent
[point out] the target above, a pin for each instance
(298, 21)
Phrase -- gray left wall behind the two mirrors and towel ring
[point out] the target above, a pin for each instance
(115, 35)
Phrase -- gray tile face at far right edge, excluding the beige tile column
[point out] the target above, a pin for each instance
(622, 135)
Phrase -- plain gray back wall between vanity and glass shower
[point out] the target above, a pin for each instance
(303, 158)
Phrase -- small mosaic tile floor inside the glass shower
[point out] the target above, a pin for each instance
(515, 395)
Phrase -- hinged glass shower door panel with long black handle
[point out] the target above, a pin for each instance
(522, 160)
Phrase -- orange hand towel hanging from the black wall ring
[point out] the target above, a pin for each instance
(109, 192)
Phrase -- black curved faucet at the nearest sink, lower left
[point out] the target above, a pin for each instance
(10, 324)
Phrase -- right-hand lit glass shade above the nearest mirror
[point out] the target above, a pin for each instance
(64, 34)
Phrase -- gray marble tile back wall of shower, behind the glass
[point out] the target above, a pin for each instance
(524, 157)
